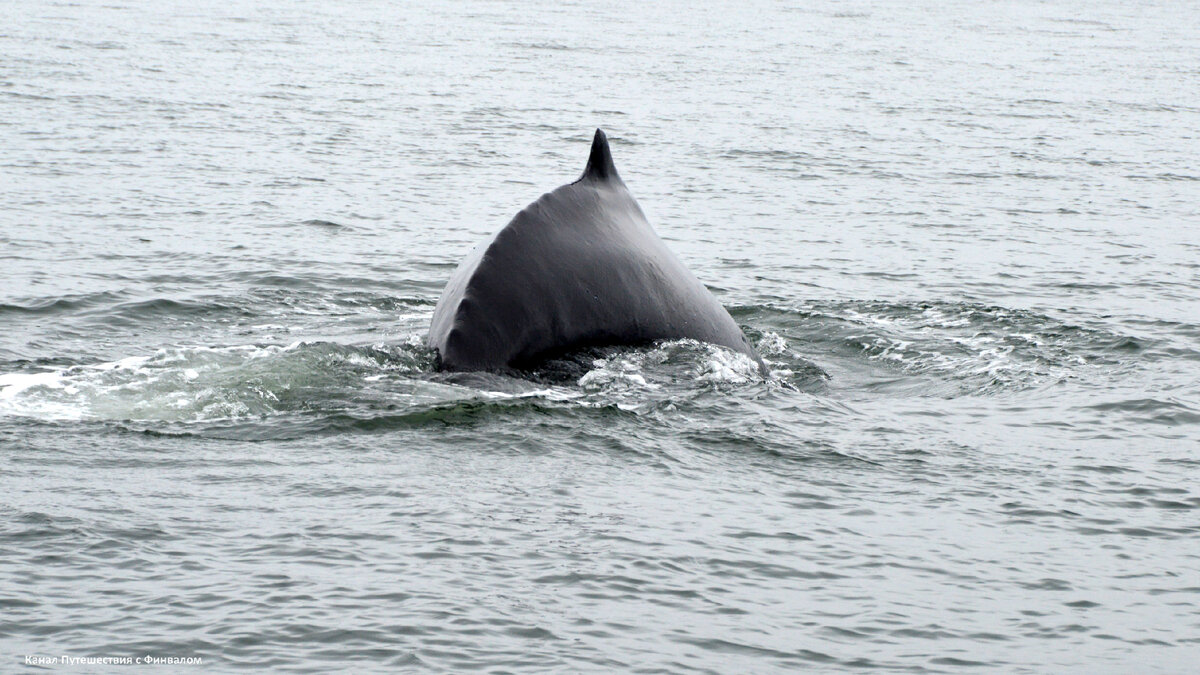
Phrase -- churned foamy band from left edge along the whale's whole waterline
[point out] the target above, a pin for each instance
(310, 386)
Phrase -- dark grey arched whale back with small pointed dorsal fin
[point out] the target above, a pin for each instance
(580, 267)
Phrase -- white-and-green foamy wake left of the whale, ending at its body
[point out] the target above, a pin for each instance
(207, 384)
